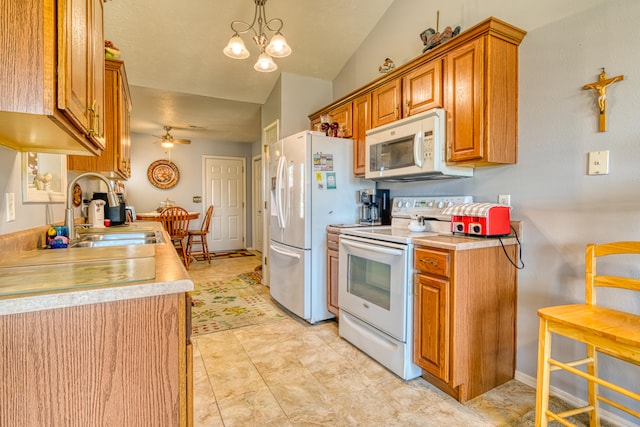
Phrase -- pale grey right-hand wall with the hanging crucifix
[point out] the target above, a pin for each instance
(561, 207)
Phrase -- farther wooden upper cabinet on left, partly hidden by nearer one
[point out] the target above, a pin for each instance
(114, 161)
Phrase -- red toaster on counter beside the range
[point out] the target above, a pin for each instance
(480, 219)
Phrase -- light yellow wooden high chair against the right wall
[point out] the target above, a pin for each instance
(603, 330)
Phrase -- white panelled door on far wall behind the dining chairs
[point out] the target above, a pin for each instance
(224, 188)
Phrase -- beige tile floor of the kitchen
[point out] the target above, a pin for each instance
(290, 373)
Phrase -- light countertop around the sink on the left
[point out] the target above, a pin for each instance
(44, 279)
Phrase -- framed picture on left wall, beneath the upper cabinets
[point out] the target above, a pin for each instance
(44, 178)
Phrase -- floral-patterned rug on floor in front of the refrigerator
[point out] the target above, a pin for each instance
(219, 305)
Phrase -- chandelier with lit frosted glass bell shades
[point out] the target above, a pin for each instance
(276, 47)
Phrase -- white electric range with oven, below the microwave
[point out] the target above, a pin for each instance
(375, 277)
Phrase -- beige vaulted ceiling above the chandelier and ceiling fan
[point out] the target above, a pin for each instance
(179, 76)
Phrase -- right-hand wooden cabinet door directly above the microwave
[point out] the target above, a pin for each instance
(422, 88)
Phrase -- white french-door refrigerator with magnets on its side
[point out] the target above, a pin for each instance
(312, 186)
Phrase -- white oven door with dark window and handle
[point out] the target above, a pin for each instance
(373, 283)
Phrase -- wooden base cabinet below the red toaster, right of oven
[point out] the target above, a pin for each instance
(465, 318)
